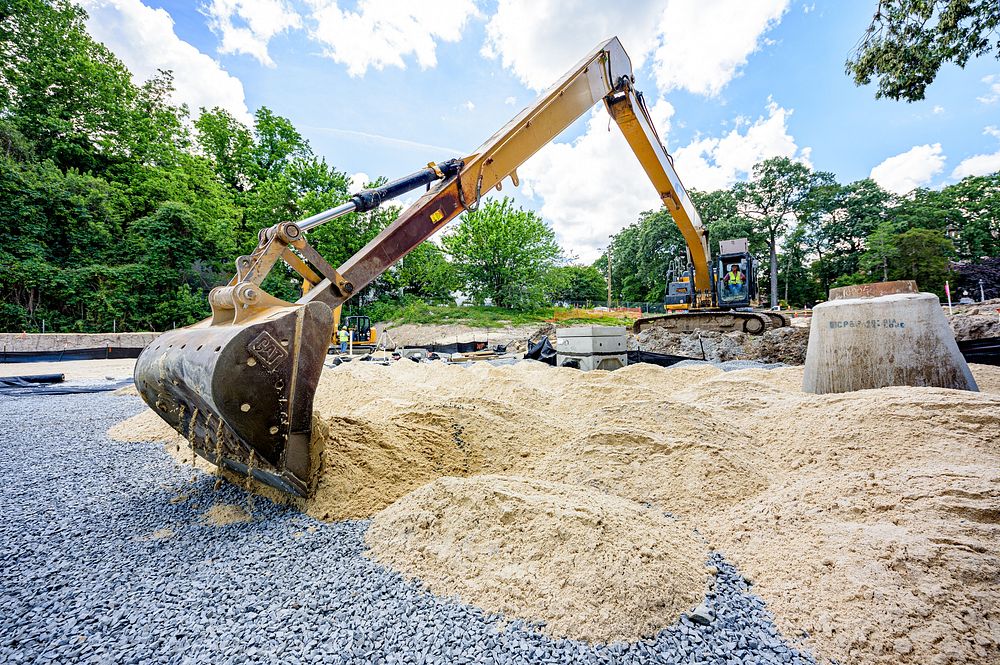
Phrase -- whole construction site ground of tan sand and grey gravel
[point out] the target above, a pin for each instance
(517, 514)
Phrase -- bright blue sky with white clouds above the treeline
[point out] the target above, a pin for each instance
(382, 87)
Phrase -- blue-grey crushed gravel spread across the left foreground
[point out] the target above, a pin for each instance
(85, 579)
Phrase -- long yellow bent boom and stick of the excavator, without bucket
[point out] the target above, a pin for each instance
(604, 75)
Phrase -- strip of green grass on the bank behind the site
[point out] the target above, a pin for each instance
(479, 316)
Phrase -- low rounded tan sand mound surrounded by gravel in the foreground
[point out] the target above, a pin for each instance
(591, 566)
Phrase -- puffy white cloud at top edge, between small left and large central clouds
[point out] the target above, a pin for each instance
(382, 33)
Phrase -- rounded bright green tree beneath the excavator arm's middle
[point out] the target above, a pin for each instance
(502, 253)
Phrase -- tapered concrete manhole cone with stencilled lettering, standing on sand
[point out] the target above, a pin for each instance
(878, 335)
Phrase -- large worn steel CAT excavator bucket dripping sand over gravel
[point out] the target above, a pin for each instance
(242, 394)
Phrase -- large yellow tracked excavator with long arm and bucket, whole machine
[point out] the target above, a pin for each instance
(240, 384)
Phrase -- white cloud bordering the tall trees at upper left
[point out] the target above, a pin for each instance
(144, 39)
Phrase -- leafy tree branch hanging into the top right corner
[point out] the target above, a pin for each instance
(908, 41)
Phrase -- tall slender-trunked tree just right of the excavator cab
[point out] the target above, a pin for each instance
(770, 200)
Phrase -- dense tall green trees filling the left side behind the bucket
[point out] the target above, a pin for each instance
(113, 212)
